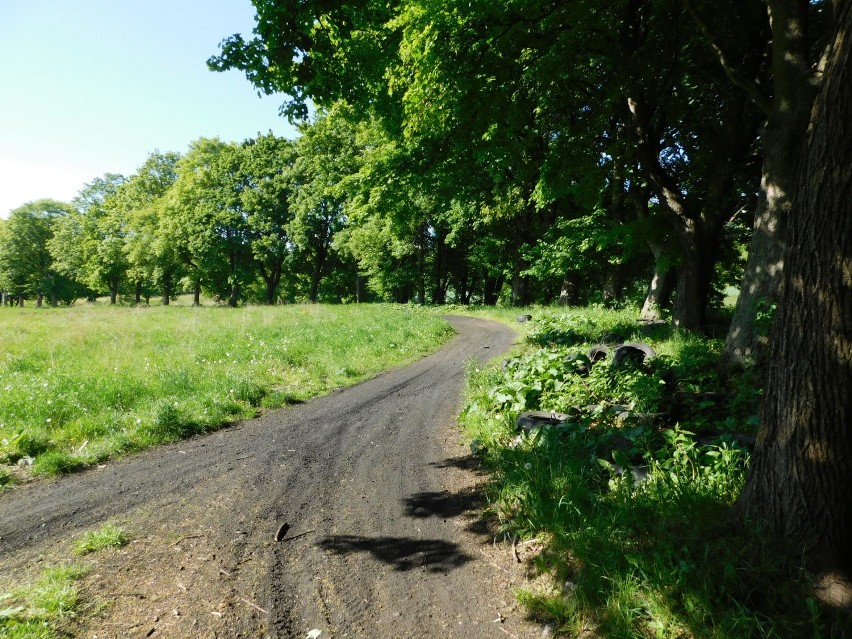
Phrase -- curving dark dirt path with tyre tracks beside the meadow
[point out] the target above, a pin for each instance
(376, 493)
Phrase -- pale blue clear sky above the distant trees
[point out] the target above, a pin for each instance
(89, 87)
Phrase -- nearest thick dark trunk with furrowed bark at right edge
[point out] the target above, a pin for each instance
(802, 466)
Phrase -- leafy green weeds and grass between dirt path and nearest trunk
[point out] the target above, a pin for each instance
(630, 490)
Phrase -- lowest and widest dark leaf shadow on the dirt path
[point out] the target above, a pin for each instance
(402, 553)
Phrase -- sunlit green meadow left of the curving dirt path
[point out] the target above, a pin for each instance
(78, 385)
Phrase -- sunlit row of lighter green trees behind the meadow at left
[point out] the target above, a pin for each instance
(250, 221)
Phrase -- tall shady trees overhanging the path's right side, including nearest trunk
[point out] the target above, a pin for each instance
(551, 148)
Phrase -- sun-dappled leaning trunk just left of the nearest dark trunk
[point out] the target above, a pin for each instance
(782, 138)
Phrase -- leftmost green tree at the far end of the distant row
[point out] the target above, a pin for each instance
(25, 259)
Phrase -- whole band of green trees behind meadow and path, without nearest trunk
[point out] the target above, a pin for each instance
(470, 152)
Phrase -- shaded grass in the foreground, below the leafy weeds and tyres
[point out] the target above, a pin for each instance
(662, 559)
